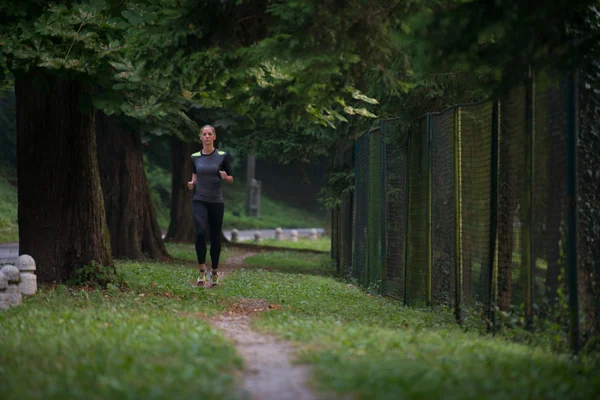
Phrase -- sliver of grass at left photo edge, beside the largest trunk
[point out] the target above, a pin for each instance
(9, 229)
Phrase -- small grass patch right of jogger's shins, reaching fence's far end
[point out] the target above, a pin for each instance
(292, 262)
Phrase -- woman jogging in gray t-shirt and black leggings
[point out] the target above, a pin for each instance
(210, 166)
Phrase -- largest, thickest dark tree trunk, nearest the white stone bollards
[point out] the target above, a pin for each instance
(61, 213)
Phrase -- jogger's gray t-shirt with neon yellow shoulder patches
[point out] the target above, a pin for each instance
(208, 181)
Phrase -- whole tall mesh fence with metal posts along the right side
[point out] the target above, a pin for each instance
(474, 208)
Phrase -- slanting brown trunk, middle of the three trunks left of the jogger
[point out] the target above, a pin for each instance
(130, 213)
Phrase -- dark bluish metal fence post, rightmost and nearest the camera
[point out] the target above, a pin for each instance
(572, 133)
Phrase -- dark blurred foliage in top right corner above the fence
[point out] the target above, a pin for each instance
(501, 39)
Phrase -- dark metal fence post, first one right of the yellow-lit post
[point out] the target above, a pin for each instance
(493, 256)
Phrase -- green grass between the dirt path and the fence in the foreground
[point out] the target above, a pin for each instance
(372, 347)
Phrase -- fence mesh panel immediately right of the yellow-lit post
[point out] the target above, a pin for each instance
(475, 138)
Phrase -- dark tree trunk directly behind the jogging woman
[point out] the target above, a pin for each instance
(181, 227)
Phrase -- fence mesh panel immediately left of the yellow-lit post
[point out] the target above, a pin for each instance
(443, 215)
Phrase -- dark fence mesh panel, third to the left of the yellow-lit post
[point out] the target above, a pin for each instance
(395, 173)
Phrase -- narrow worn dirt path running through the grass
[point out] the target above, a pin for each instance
(269, 372)
